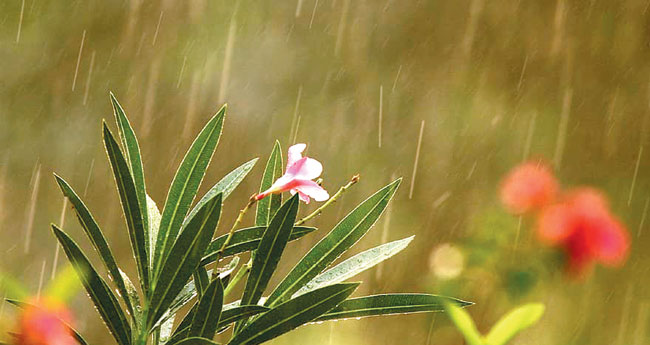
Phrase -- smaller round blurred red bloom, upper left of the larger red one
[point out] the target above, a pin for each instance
(529, 187)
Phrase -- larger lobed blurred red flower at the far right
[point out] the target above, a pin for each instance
(582, 224)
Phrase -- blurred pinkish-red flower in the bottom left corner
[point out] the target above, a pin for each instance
(44, 322)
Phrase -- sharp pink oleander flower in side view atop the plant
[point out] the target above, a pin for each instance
(298, 177)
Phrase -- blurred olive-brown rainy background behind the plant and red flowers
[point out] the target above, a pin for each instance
(477, 85)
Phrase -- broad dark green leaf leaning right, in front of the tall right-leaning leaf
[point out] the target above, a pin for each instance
(183, 258)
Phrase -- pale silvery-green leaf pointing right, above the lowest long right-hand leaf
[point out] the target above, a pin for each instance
(355, 265)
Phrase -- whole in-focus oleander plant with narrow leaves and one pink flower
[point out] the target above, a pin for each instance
(187, 272)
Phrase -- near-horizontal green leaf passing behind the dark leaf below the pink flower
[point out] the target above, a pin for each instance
(244, 240)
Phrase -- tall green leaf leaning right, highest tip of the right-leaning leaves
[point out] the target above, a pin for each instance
(185, 185)
